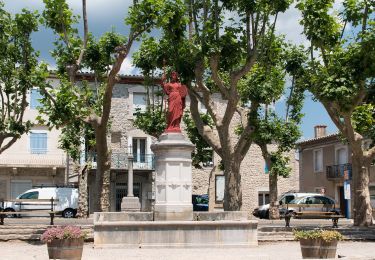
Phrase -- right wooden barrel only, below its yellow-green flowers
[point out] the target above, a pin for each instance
(318, 248)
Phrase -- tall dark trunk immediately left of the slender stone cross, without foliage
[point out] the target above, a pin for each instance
(103, 170)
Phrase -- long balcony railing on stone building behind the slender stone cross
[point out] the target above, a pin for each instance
(120, 161)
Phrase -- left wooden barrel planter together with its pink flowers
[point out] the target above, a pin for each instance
(64, 242)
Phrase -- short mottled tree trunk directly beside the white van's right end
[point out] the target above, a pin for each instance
(83, 207)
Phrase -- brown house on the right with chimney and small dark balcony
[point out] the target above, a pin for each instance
(326, 167)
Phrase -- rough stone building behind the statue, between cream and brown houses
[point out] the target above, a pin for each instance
(128, 95)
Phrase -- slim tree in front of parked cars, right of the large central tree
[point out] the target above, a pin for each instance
(276, 136)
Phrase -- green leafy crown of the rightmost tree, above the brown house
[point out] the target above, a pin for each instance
(347, 70)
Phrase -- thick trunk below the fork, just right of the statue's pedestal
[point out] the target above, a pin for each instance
(233, 189)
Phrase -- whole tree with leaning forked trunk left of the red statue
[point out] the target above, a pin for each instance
(91, 103)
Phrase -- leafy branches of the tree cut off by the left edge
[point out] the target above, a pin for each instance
(19, 72)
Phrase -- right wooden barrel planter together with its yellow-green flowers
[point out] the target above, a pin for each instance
(318, 243)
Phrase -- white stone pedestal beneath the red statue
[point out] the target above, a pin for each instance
(173, 180)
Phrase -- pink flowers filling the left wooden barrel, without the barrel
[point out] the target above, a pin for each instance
(62, 232)
